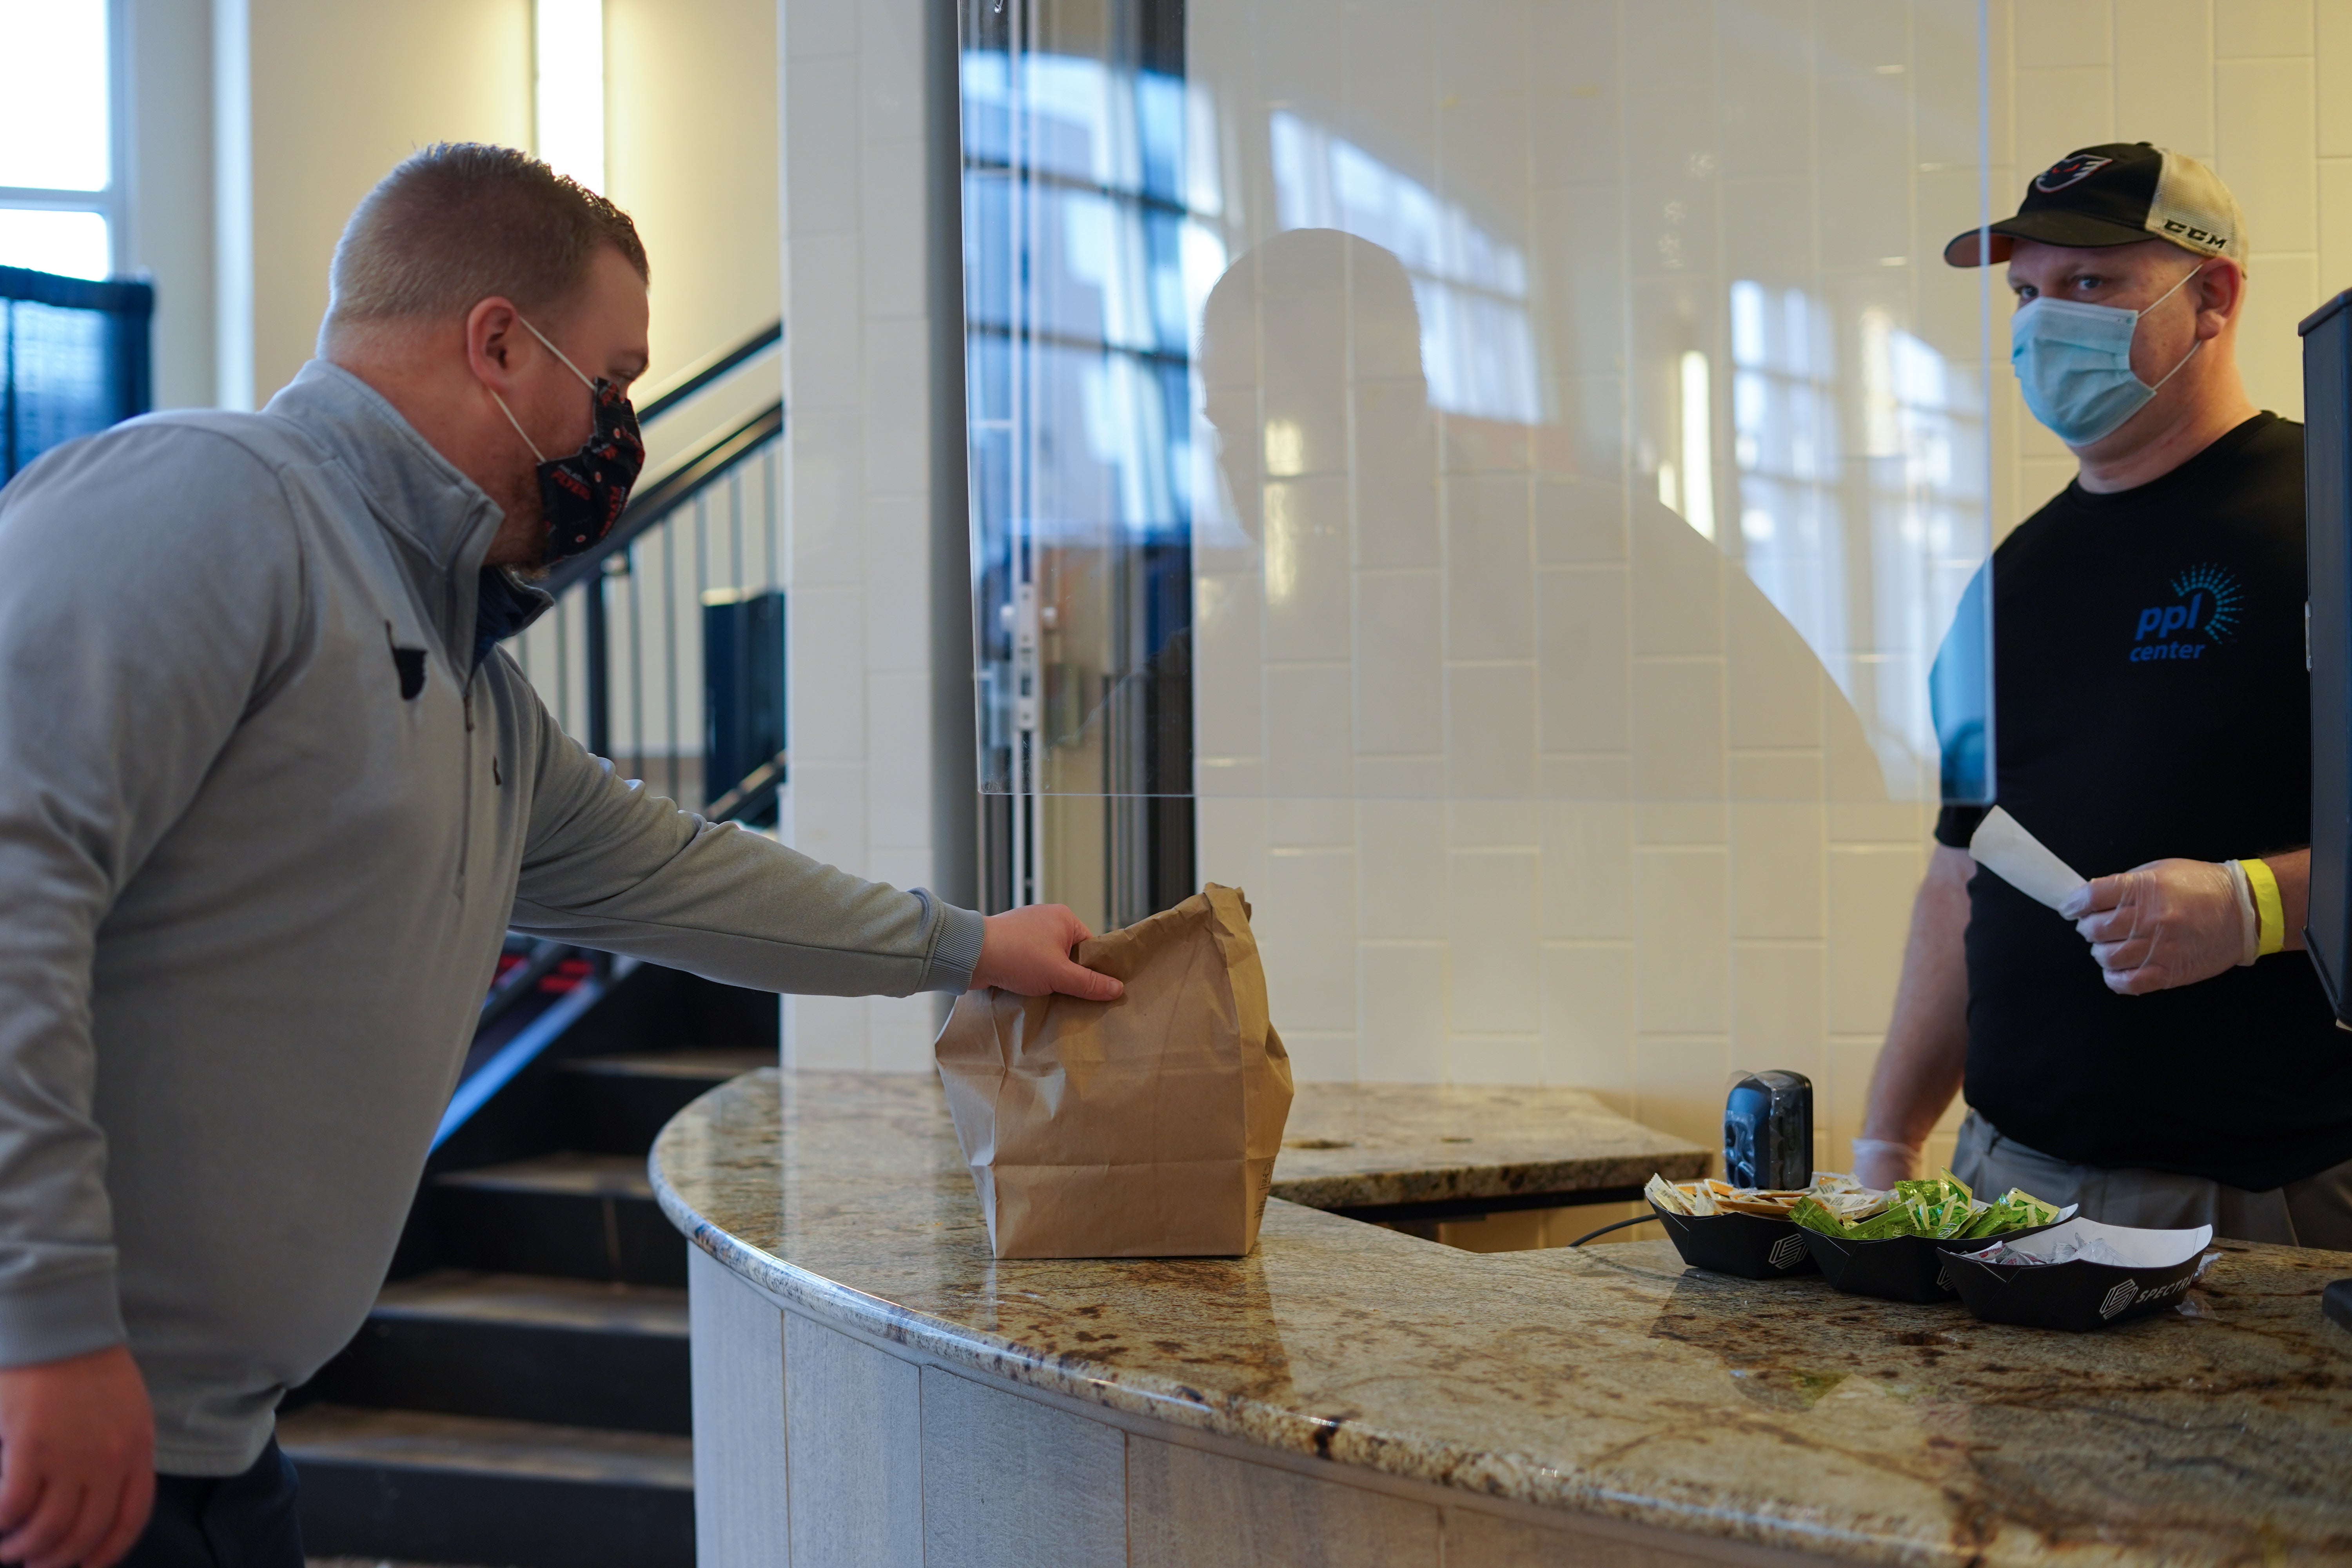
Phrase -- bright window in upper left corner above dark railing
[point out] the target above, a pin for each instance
(60, 187)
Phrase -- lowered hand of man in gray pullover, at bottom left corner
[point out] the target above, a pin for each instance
(76, 1461)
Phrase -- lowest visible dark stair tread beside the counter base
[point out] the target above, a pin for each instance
(476, 1445)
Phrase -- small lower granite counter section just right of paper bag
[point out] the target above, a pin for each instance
(1351, 1146)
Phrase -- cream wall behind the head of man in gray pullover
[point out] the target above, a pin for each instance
(319, 102)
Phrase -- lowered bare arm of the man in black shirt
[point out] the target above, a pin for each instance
(1927, 1045)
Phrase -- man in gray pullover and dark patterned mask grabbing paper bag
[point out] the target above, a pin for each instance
(269, 798)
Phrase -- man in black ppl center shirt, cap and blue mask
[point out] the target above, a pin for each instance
(2158, 1050)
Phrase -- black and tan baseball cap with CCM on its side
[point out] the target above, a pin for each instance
(2118, 194)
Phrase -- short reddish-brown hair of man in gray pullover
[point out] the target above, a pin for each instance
(462, 222)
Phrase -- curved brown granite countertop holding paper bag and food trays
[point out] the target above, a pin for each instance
(1608, 1381)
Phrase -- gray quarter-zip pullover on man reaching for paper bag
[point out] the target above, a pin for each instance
(253, 883)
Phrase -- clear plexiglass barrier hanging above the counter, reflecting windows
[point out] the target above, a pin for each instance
(1492, 401)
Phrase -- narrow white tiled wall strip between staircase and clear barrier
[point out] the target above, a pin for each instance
(857, 483)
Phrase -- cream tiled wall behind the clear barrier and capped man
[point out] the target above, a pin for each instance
(1706, 880)
